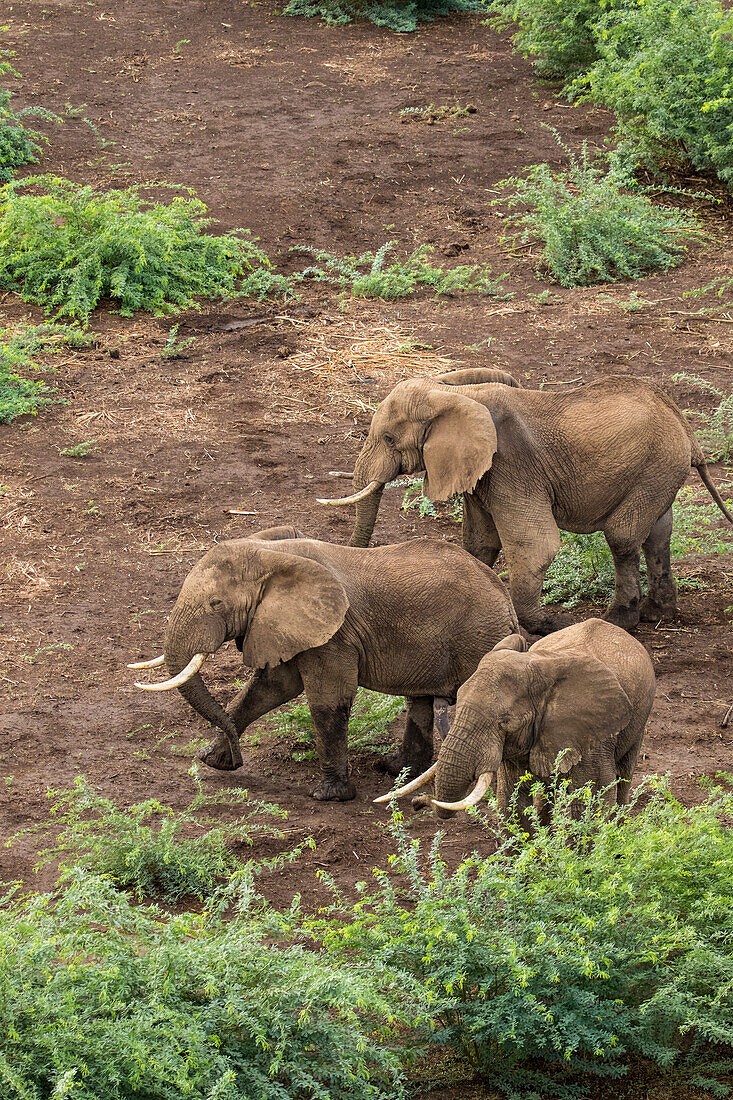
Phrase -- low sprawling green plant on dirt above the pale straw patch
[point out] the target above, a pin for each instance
(366, 277)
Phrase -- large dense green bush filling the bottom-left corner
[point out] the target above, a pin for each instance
(108, 1000)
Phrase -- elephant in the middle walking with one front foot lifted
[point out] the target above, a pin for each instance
(412, 620)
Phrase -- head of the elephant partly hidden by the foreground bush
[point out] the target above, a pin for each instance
(527, 706)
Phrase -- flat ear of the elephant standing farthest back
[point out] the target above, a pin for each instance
(460, 446)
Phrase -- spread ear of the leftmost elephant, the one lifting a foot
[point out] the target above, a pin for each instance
(302, 606)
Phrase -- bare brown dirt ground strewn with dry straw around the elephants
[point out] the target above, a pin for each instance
(293, 130)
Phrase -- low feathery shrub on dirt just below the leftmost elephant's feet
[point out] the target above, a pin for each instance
(146, 848)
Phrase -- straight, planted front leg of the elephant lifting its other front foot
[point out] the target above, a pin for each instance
(331, 689)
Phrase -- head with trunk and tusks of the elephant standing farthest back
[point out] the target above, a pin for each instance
(424, 425)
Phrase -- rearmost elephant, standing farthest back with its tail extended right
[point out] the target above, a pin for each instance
(610, 456)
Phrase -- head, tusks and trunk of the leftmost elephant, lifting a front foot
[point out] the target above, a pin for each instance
(273, 603)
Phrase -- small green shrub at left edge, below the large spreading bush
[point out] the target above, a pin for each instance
(20, 395)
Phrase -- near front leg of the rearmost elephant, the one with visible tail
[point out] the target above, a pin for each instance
(529, 562)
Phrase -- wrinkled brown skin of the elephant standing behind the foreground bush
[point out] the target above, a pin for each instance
(588, 689)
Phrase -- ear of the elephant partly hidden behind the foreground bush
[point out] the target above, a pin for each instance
(584, 705)
